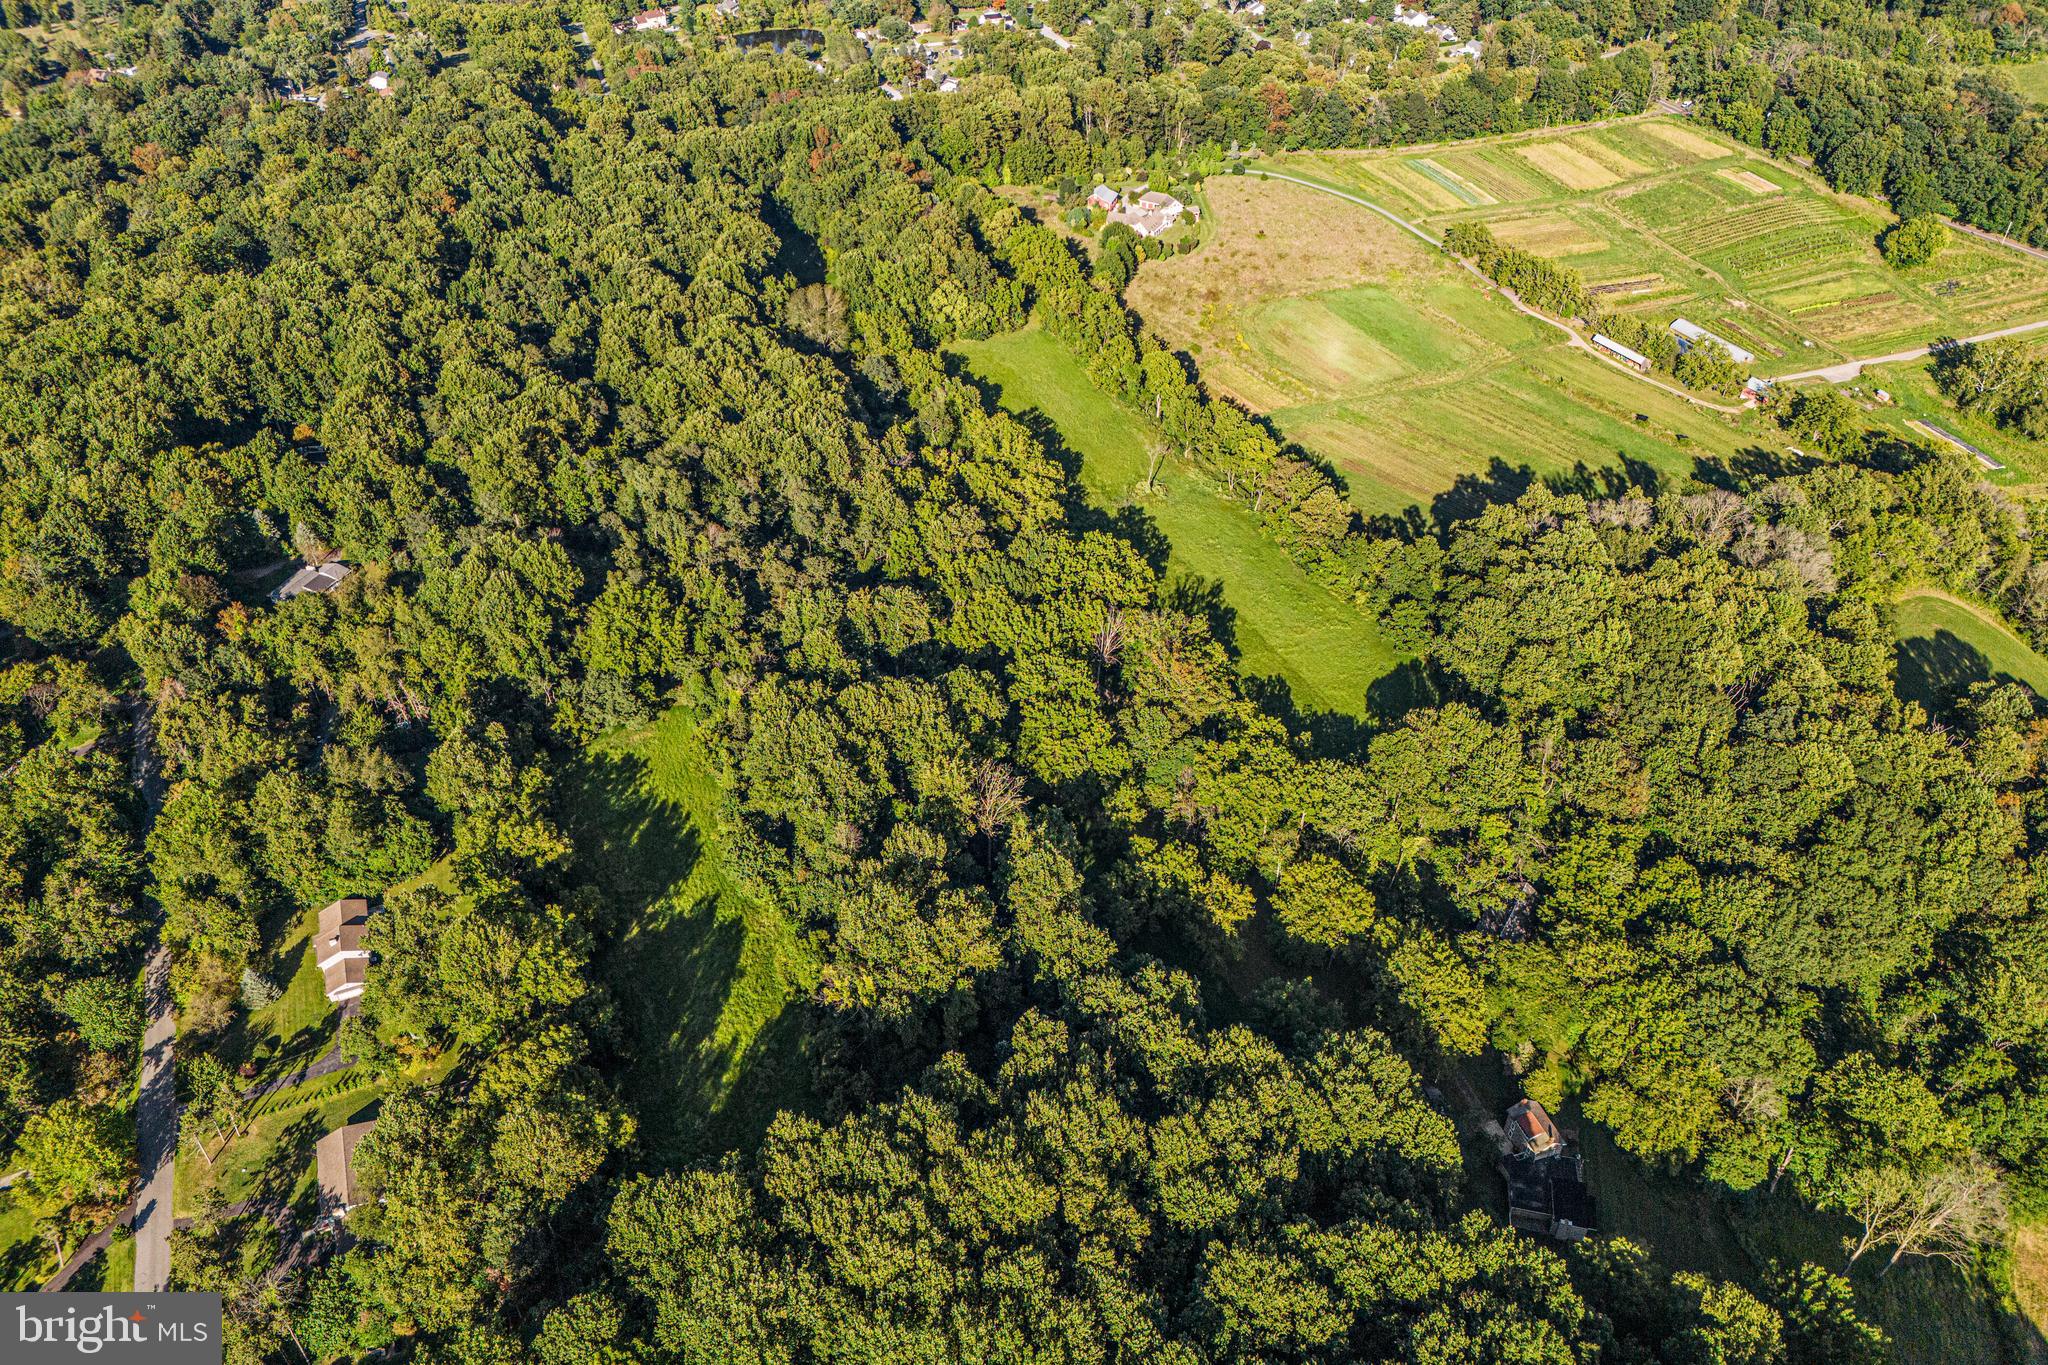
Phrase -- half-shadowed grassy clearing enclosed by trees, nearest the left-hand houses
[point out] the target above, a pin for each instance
(710, 977)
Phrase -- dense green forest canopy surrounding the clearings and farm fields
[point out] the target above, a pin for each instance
(636, 398)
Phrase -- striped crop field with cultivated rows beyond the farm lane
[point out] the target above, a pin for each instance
(1670, 218)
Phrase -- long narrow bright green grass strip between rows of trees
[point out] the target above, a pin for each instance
(1283, 623)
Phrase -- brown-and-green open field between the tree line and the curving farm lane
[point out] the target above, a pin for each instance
(1400, 367)
